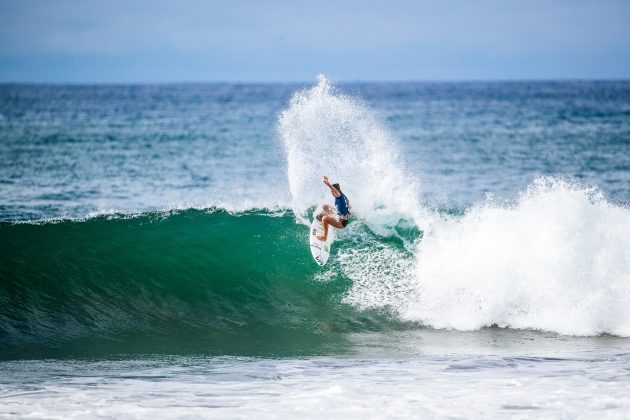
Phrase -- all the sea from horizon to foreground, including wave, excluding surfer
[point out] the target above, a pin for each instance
(154, 258)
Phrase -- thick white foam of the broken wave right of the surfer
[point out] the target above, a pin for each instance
(558, 259)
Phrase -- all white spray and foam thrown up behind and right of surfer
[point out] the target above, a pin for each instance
(557, 258)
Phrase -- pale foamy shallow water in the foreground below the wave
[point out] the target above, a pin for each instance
(482, 374)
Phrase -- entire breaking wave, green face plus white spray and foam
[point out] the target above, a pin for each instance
(226, 279)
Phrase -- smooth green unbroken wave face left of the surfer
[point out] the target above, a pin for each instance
(184, 282)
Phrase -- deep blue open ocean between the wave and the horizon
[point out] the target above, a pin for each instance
(67, 151)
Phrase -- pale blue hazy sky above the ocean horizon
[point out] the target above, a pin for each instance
(191, 40)
